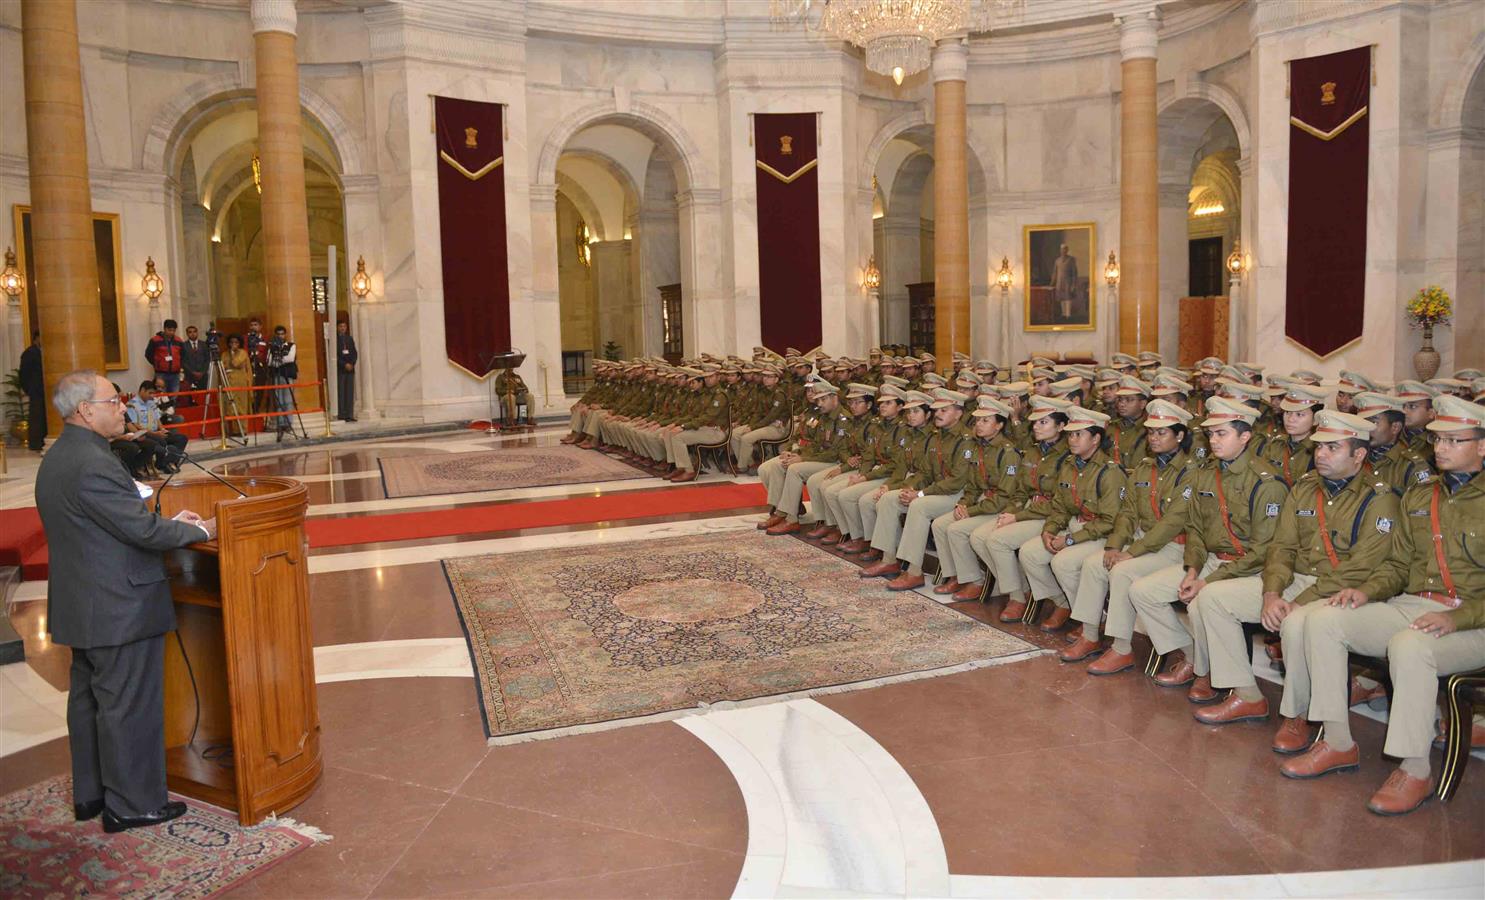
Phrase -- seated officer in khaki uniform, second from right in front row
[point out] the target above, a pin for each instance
(1333, 528)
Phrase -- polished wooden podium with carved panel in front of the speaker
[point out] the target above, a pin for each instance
(241, 717)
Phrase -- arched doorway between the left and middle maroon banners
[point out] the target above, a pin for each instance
(619, 249)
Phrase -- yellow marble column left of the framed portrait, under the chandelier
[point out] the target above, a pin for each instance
(951, 197)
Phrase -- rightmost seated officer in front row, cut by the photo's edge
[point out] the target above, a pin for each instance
(1432, 626)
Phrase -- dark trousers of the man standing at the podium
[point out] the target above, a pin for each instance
(117, 725)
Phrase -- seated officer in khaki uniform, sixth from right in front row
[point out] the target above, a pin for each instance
(999, 541)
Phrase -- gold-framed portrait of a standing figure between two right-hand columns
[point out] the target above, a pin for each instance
(1061, 290)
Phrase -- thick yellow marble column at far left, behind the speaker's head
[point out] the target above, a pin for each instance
(62, 198)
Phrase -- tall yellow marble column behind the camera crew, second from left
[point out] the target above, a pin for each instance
(286, 216)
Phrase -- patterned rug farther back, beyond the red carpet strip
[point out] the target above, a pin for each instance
(498, 470)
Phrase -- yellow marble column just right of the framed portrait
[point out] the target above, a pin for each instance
(1140, 186)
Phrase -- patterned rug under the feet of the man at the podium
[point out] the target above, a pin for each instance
(44, 853)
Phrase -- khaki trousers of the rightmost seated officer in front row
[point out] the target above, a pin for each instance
(1414, 659)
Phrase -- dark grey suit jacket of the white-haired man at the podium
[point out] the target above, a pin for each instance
(108, 575)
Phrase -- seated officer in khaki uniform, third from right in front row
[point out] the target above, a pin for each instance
(1235, 509)
